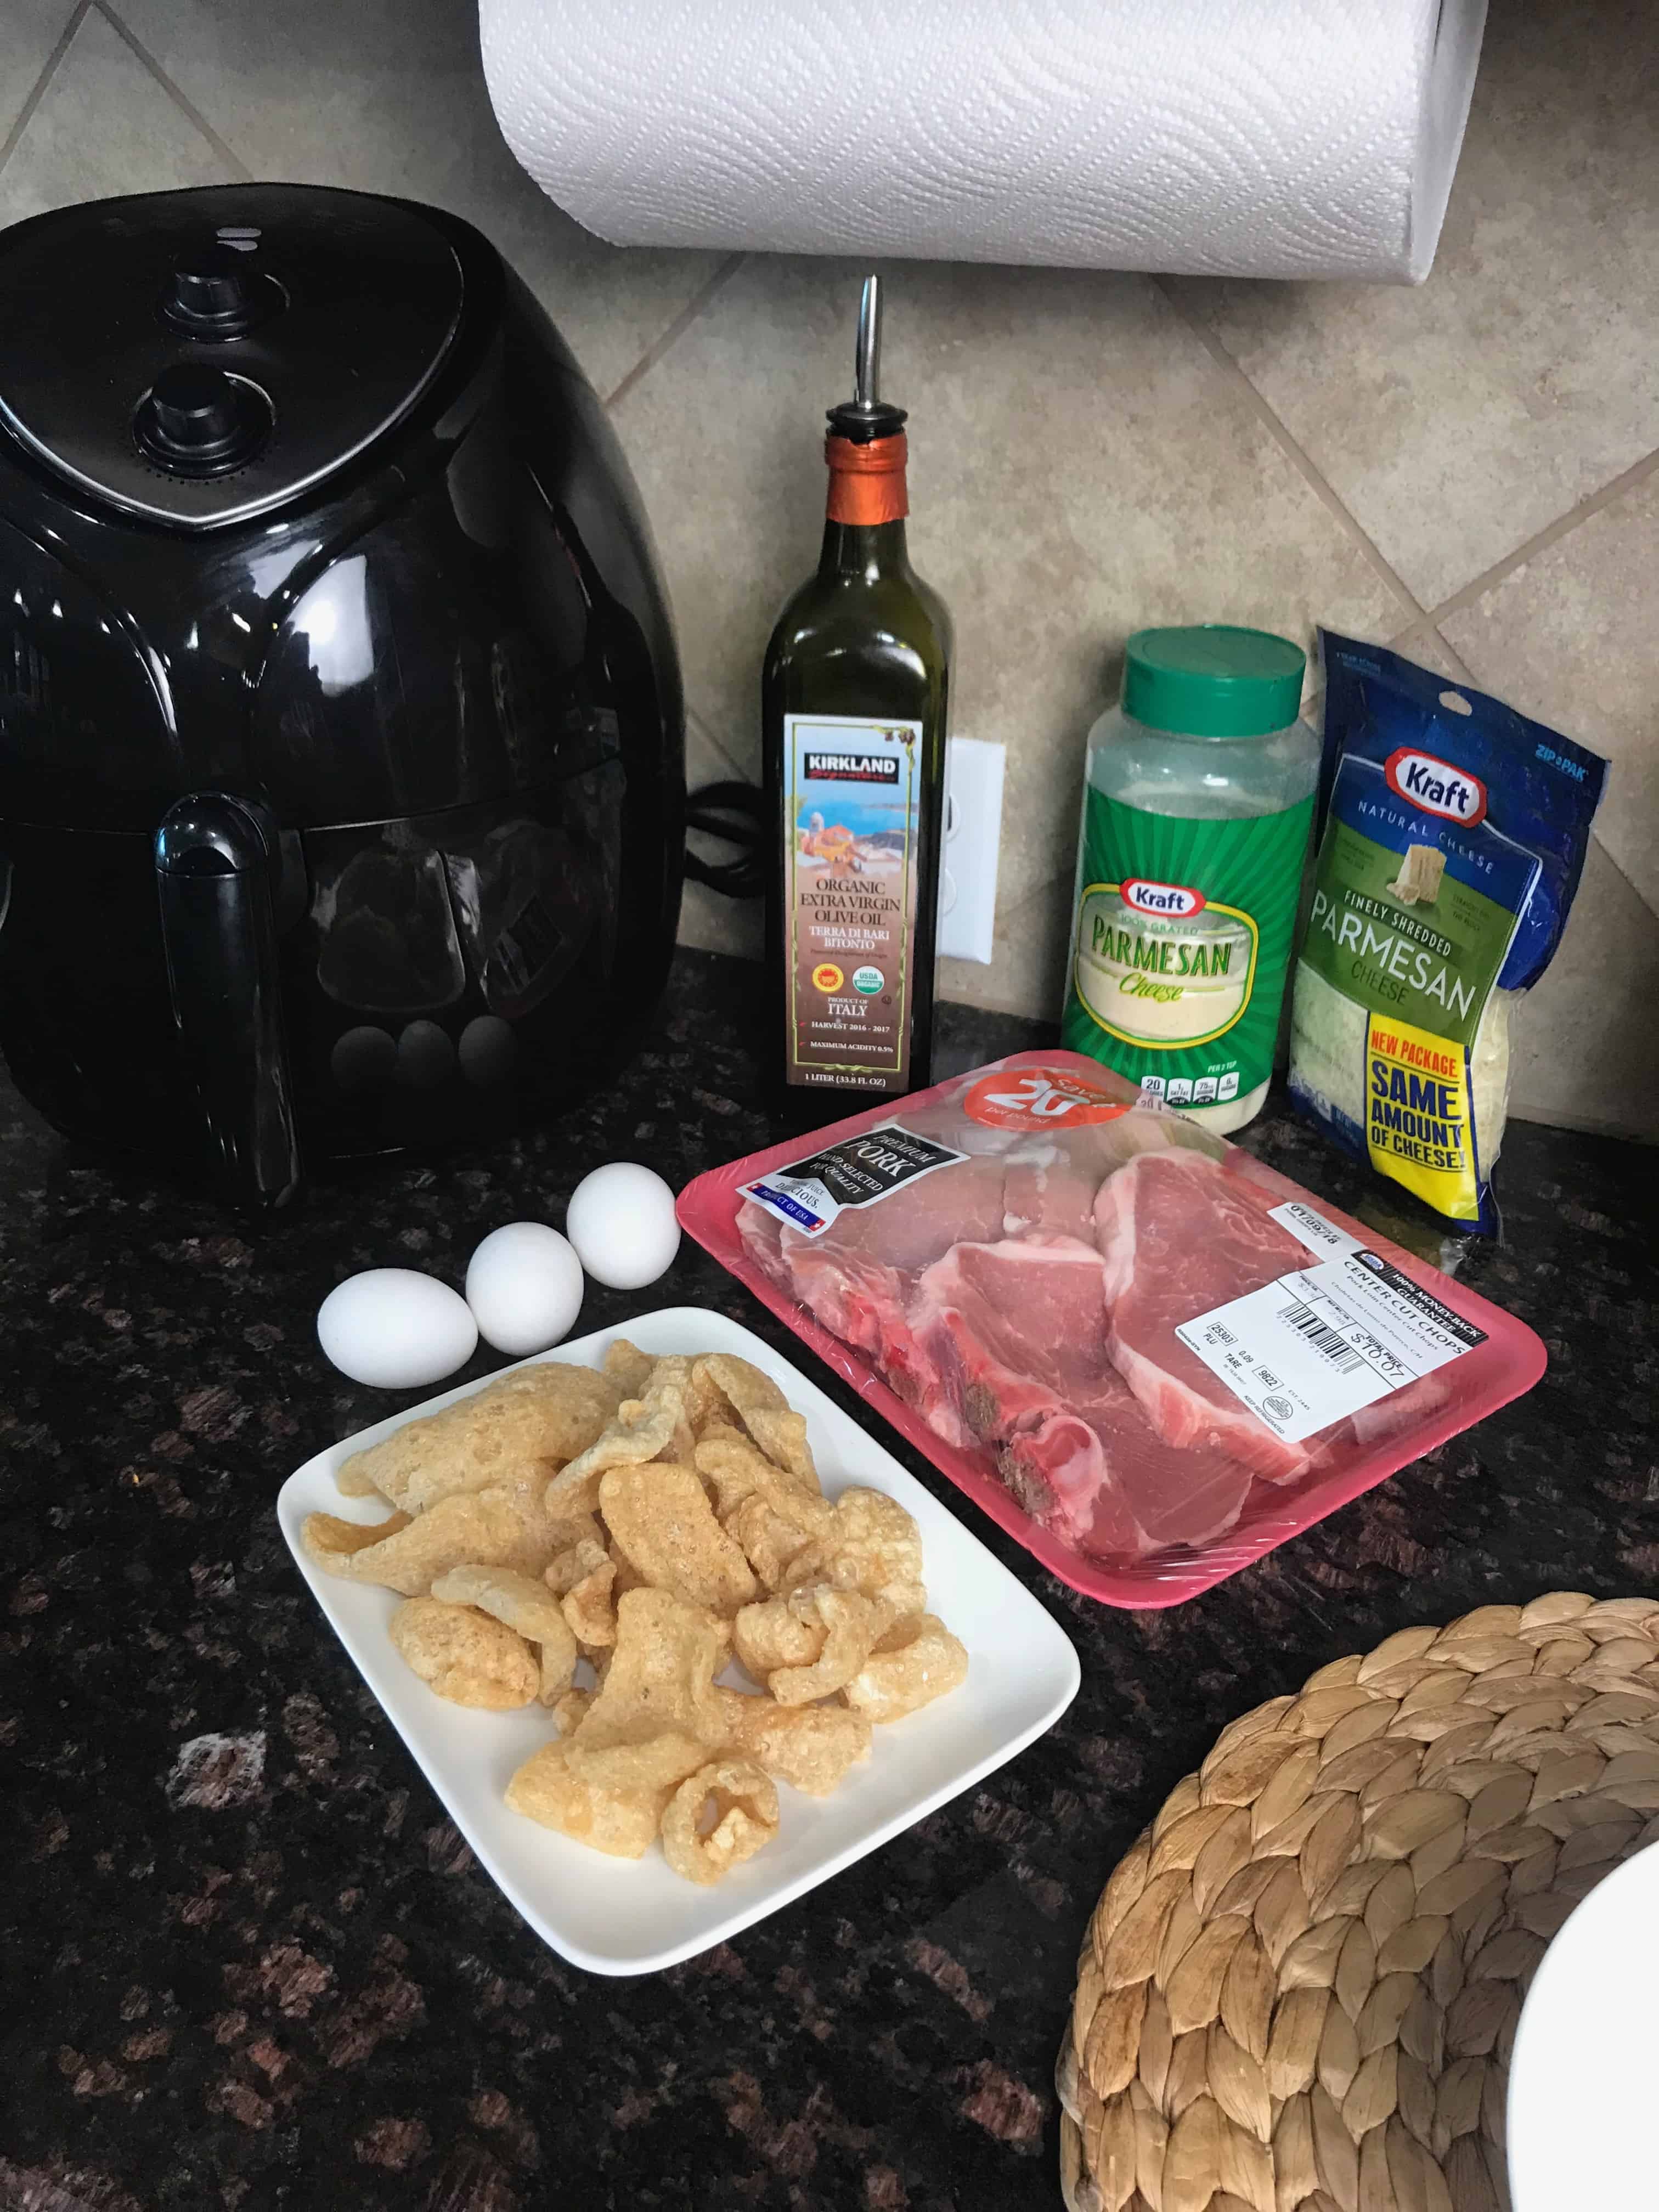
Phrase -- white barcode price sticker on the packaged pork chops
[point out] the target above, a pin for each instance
(1326, 1342)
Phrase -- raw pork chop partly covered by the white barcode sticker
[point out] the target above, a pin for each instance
(1180, 1238)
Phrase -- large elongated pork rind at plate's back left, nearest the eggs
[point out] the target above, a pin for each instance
(528, 1423)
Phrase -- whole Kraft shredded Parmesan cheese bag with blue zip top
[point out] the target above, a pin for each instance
(1452, 842)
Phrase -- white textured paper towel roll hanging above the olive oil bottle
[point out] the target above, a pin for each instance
(1258, 138)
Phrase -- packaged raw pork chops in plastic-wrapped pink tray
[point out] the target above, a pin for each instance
(1140, 1350)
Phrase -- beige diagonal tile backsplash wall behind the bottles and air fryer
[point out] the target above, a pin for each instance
(1470, 468)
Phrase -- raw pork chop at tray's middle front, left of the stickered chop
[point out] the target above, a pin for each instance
(1021, 1326)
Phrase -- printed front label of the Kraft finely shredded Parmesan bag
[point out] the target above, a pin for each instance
(1415, 910)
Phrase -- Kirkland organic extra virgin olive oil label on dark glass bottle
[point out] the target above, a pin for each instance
(853, 815)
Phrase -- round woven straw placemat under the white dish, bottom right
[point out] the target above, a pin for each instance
(1302, 1985)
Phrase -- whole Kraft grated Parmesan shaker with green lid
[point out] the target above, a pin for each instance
(1198, 808)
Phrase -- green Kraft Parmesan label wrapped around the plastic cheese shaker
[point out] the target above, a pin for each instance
(1182, 941)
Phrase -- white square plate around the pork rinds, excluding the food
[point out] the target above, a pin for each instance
(634, 1917)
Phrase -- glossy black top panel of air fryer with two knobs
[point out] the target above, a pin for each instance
(200, 357)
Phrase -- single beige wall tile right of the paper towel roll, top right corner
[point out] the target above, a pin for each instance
(1459, 419)
